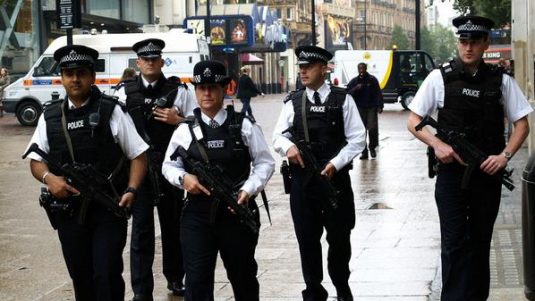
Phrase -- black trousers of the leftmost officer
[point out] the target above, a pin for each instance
(93, 253)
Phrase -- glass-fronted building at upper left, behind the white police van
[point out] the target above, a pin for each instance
(32, 26)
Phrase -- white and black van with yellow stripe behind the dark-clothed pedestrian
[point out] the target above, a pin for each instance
(399, 72)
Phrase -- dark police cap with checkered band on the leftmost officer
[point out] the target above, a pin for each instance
(72, 56)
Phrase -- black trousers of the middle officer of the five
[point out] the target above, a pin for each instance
(203, 235)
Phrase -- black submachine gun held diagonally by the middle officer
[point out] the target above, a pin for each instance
(221, 187)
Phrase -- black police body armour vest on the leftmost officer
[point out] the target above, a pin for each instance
(93, 145)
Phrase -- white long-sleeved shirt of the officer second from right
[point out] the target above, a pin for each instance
(354, 130)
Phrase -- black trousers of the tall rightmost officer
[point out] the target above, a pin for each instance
(466, 224)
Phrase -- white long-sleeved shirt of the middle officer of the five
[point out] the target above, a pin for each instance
(262, 162)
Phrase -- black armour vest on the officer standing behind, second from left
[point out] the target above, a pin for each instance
(140, 101)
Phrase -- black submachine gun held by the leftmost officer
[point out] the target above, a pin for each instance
(92, 184)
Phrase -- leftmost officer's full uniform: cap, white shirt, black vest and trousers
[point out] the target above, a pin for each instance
(92, 250)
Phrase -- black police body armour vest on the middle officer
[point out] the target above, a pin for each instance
(224, 147)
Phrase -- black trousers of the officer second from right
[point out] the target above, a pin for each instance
(309, 222)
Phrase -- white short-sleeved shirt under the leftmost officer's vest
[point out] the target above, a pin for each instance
(122, 129)
